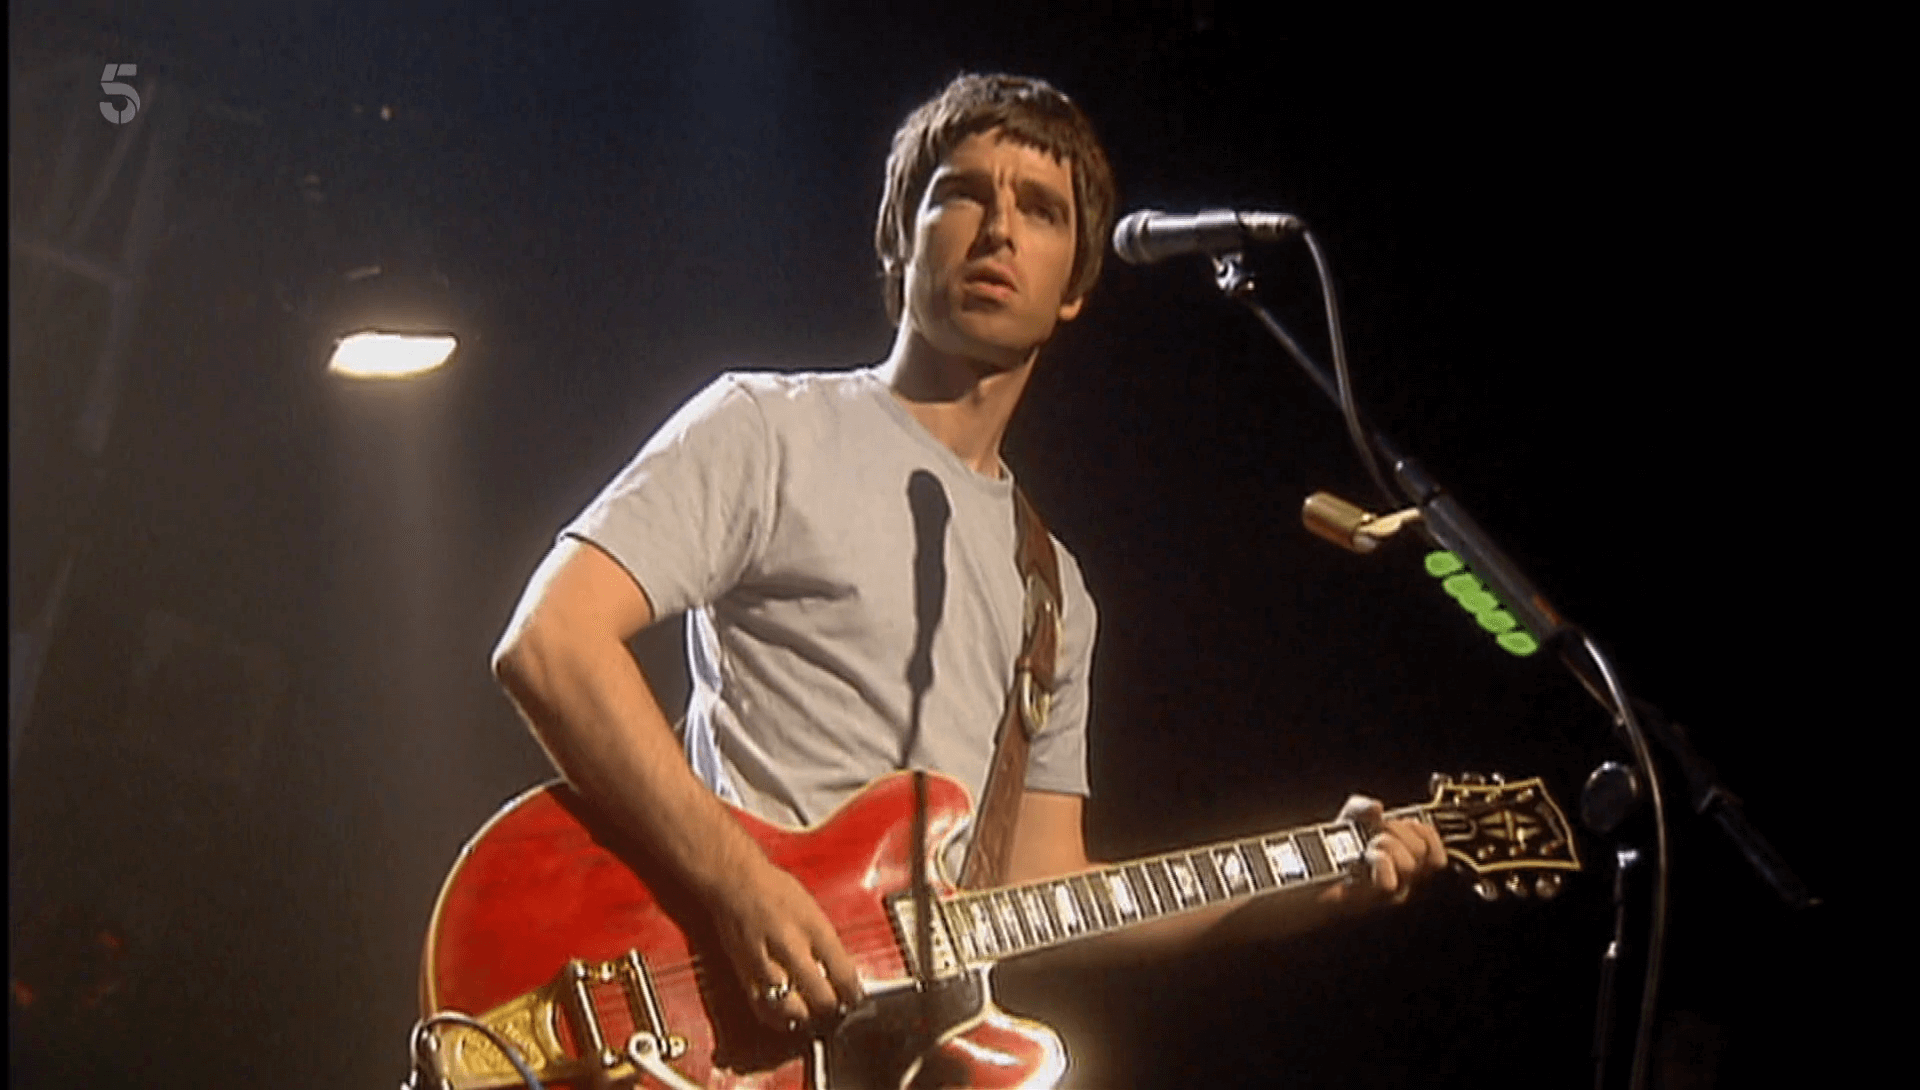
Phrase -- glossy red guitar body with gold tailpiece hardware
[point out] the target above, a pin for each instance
(546, 884)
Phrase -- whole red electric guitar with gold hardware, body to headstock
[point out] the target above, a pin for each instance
(573, 947)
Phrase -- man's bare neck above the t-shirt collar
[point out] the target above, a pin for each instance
(963, 402)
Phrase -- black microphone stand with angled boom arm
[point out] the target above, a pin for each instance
(1449, 527)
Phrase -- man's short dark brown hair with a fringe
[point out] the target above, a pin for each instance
(1030, 112)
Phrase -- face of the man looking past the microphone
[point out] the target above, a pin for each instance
(994, 252)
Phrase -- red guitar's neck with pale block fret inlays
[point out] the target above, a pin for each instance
(992, 926)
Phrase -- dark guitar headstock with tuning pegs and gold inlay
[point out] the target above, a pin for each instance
(1512, 836)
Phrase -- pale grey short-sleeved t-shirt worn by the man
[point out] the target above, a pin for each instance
(775, 509)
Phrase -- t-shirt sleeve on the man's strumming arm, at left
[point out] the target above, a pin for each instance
(690, 513)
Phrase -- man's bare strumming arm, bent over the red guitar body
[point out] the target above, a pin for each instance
(565, 665)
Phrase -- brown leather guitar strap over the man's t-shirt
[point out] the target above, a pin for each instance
(1028, 701)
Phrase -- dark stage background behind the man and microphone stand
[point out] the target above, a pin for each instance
(266, 726)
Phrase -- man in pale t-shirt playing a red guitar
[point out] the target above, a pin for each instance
(775, 511)
